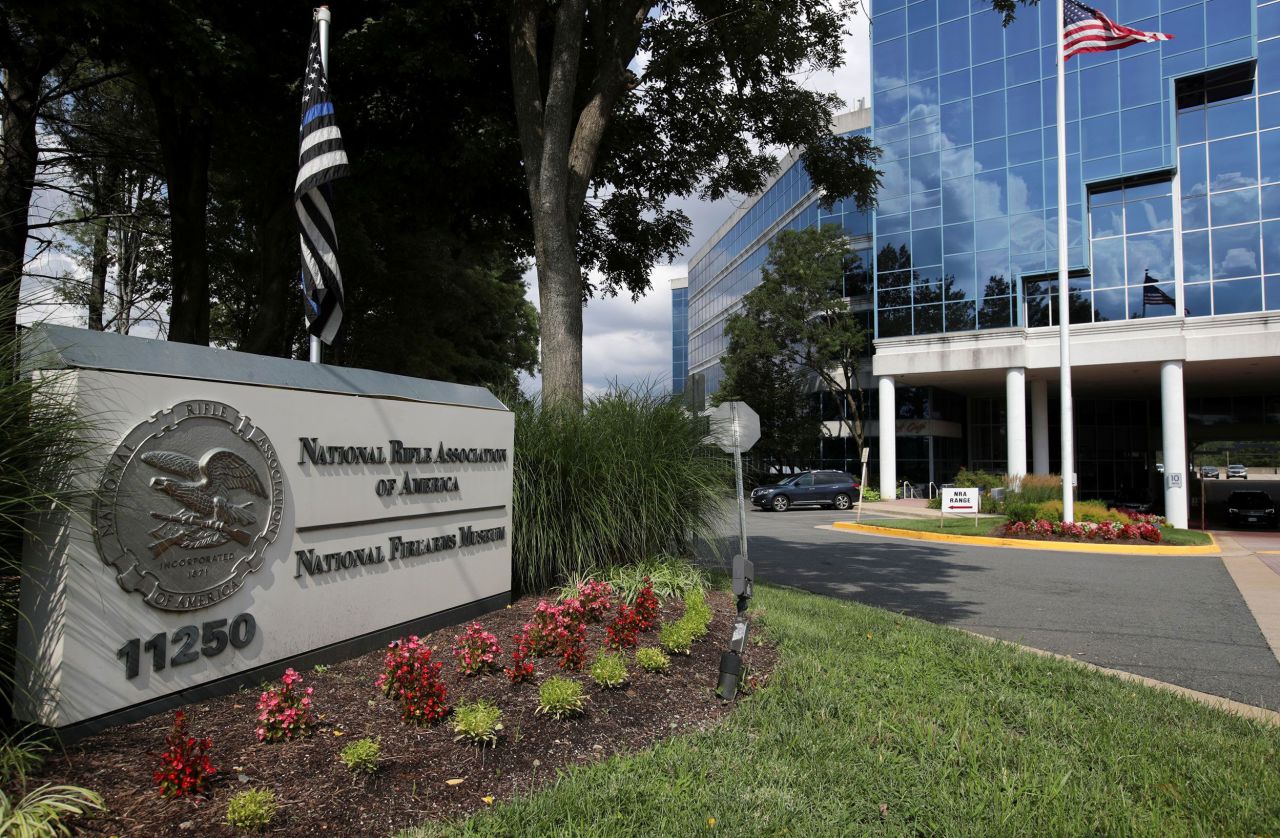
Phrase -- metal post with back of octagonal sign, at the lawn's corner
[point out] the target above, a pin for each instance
(735, 428)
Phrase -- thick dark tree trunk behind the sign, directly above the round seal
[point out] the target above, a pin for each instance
(186, 136)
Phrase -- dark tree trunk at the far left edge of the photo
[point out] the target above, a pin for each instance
(19, 159)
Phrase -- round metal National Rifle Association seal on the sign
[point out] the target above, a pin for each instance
(188, 506)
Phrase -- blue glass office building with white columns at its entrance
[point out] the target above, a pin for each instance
(1173, 155)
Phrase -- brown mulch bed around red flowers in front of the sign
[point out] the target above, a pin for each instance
(318, 795)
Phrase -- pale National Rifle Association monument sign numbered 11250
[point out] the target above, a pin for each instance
(245, 514)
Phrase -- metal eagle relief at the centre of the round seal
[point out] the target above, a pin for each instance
(204, 488)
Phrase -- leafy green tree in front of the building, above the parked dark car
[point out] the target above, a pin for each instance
(794, 318)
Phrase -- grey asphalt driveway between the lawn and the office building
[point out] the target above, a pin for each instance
(1173, 619)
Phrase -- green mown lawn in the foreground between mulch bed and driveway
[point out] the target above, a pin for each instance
(883, 725)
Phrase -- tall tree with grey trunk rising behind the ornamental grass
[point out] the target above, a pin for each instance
(634, 102)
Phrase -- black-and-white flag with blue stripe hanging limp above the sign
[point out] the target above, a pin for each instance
(321, 161)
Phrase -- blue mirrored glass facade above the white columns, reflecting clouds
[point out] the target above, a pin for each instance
(1171, 146)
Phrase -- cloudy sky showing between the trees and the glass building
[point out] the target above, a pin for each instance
(630, 344)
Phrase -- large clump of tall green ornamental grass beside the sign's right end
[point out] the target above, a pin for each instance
(627, 477)
